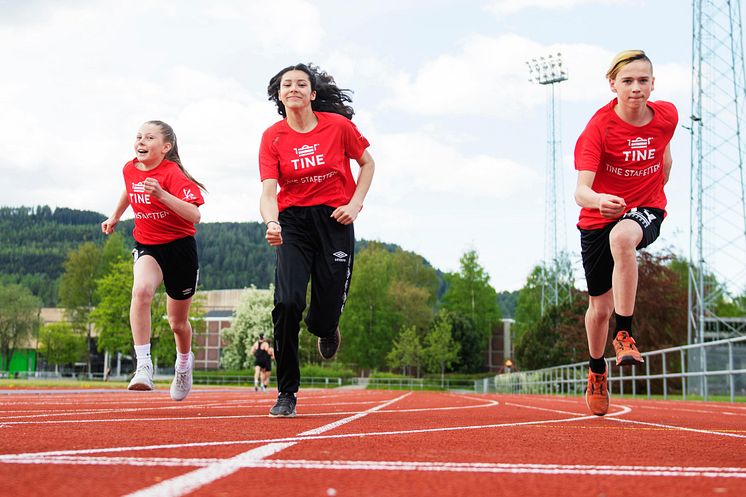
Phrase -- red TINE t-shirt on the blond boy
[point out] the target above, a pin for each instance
(627, 160)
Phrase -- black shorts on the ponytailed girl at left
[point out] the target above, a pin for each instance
(178, 263)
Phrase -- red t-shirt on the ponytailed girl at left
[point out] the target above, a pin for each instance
(154, 222)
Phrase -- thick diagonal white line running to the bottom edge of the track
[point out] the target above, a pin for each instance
(184, 484)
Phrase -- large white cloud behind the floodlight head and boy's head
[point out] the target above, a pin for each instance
(488, 77)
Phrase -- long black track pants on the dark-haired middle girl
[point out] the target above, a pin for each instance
(316, 247)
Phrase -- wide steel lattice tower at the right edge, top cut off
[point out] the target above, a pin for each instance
(717, 236)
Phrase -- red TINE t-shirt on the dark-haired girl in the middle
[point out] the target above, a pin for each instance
(312, 168)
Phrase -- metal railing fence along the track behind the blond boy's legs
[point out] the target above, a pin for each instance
(702, 370)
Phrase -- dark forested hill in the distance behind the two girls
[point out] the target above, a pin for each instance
(34, 242)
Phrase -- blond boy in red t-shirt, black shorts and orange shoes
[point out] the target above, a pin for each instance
(623, 159)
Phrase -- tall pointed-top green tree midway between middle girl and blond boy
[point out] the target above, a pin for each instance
(470, 294)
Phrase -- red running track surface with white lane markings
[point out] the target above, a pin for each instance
(365, 443)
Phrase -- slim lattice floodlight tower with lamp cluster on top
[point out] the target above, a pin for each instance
(556, 271)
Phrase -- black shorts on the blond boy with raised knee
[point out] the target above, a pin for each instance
(596, 251)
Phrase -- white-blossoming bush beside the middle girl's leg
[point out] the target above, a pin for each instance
(253, 317)
